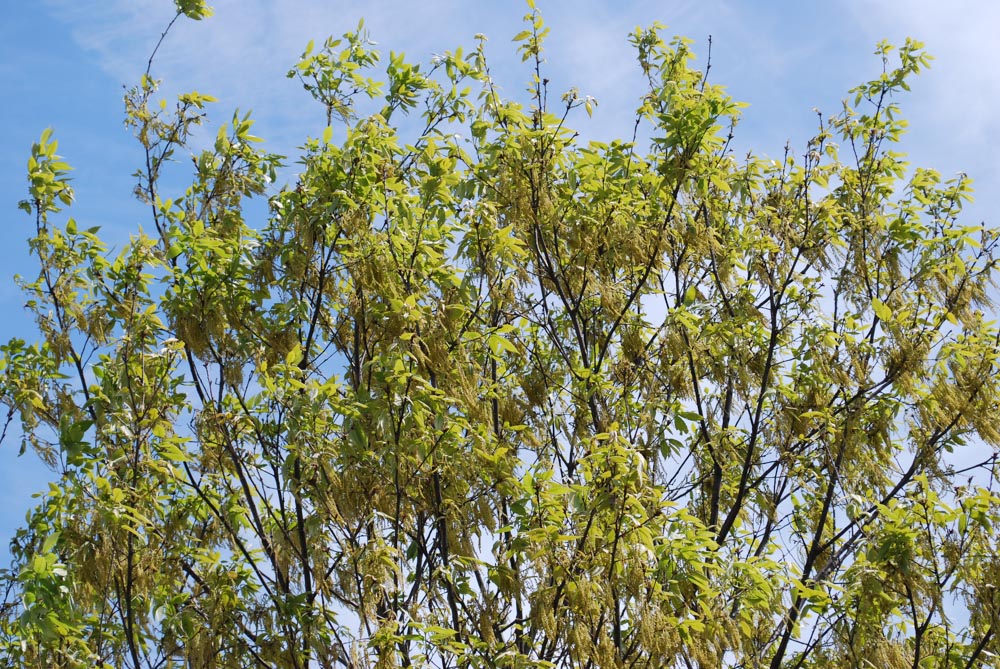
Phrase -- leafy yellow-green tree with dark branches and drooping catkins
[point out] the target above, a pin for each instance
(501, 399)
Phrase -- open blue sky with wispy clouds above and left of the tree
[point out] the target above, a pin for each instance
(63, 63)
